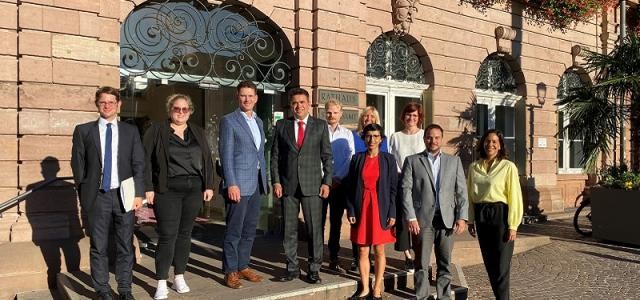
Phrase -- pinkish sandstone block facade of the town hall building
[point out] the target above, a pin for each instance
(472, 71)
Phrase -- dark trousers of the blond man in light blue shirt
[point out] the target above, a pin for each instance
(336, 205)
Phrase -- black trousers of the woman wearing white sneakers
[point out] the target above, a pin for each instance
(176, 210)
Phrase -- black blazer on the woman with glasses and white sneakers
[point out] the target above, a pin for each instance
(156, 141)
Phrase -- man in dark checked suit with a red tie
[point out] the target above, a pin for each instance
(301, 170)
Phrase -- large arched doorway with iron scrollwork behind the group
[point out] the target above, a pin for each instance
(204, 51)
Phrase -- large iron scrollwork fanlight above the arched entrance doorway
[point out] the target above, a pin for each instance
(195, 42)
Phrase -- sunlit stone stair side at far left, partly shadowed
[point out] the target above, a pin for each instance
(40, 237)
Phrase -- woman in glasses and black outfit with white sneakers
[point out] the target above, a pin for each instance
(178, 176)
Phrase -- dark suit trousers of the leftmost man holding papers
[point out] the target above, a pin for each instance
(108, 212)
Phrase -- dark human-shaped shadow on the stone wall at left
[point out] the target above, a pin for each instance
(55, 222)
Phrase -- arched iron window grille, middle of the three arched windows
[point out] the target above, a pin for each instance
(496, 75)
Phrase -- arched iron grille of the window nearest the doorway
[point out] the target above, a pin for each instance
(393, 58)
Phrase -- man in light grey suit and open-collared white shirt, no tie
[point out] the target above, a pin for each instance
(434, 196)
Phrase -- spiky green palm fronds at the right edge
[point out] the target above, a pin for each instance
(593, 113)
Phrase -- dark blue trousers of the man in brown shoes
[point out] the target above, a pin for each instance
(241, 219)
